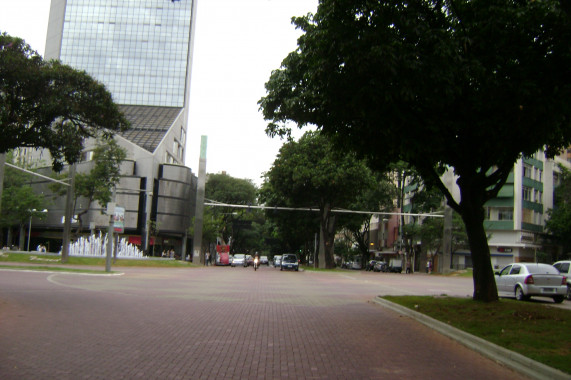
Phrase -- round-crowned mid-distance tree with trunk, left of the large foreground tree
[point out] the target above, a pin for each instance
(311, 173)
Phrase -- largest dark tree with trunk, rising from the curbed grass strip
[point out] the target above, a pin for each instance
(466, 84)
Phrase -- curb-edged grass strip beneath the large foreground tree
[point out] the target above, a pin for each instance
(536, 331)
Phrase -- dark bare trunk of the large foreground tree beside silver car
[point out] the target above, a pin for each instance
(484, 283)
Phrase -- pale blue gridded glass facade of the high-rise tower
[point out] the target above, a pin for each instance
(138, 48)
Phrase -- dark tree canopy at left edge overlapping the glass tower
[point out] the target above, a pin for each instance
(45, 104)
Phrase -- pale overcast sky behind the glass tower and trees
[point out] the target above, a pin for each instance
(237, 45)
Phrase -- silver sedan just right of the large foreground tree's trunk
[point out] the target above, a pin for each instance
(525, 280)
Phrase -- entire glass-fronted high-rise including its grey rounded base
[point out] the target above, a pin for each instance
(141, 50)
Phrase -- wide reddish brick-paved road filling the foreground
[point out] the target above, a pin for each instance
(226, 323)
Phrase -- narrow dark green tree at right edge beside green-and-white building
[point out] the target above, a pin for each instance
(558, 225)
